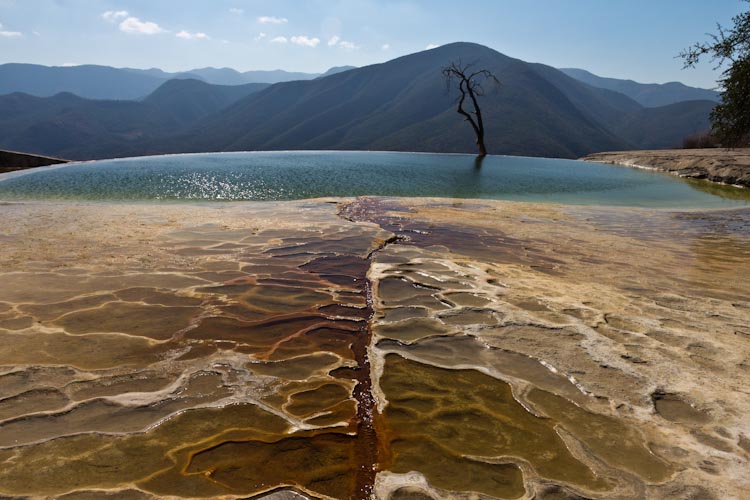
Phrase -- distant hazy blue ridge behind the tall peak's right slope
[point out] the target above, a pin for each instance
(646, 94)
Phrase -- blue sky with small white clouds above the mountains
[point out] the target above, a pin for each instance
(635, 39)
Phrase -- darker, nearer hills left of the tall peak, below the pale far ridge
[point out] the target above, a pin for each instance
(73, 127)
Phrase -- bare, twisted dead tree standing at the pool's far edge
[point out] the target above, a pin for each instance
(470, 84)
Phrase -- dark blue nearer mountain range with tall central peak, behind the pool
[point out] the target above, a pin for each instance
(401, 104)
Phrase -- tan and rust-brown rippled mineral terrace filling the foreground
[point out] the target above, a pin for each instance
(373, 348)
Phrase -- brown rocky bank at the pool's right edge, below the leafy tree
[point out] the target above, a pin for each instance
(726, 166)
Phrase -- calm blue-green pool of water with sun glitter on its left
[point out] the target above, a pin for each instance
(298, 175)
